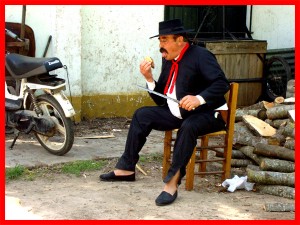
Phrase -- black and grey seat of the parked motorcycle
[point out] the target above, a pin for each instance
(21, 66)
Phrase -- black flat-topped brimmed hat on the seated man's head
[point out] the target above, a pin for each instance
(171, 27)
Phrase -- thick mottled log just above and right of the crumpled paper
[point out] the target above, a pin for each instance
(271, 178)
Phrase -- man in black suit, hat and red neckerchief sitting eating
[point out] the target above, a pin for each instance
(192, 75)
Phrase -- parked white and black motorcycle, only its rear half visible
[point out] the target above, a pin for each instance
(35, 102)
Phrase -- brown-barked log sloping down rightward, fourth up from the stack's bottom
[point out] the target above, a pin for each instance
(278, 152)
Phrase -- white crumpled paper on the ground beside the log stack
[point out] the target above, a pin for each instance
(237, 183)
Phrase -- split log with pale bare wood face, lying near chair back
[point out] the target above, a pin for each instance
(258, 126)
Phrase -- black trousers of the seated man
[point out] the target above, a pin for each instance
(160, 118)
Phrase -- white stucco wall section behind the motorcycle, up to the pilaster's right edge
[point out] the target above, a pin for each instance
(63, 23)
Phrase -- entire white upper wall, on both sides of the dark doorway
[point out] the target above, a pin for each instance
(103, 45)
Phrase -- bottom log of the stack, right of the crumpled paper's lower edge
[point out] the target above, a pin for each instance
(277, 190)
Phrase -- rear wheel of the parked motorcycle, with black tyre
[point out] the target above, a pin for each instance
(62, 140)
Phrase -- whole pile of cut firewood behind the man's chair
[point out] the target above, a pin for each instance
(264, 143)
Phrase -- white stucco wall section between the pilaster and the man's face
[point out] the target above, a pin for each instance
(115, 39)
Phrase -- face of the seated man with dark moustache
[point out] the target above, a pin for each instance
(170, 47)
